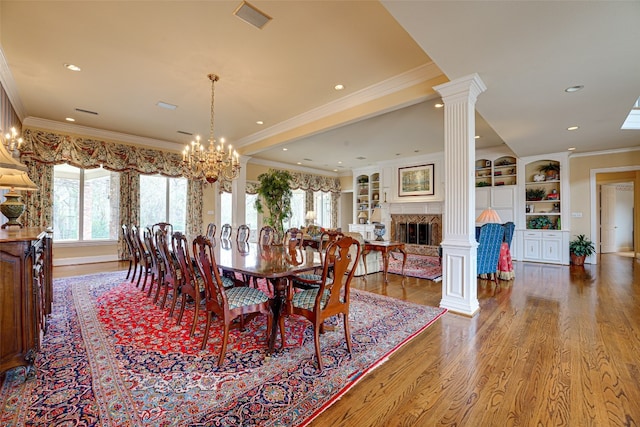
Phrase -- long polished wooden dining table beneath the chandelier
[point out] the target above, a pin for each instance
(272, 262)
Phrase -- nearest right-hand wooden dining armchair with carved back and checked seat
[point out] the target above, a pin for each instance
(331, 294)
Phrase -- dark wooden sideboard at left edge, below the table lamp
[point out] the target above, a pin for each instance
(26, 293)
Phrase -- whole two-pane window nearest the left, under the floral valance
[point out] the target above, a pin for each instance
(85, 204)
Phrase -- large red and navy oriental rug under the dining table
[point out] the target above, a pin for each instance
(111, 357)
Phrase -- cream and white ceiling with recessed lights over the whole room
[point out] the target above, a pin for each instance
(388, 55)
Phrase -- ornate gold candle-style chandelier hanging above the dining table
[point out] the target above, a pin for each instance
(208, 164)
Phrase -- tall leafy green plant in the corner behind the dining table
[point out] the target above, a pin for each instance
(275, 195)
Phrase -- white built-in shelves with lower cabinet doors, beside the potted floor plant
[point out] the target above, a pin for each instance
(544, 207)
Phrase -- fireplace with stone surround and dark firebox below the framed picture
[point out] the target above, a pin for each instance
(422, 233)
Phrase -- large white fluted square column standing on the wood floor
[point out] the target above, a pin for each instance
(459, 257)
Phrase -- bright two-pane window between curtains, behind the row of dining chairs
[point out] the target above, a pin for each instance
(163, 199)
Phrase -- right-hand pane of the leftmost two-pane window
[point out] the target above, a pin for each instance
(101, 200)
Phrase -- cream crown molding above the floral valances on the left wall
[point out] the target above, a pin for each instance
(69, 128)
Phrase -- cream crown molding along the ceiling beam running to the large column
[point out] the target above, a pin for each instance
(392, 85)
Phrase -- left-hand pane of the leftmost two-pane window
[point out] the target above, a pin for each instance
(66, 202)
